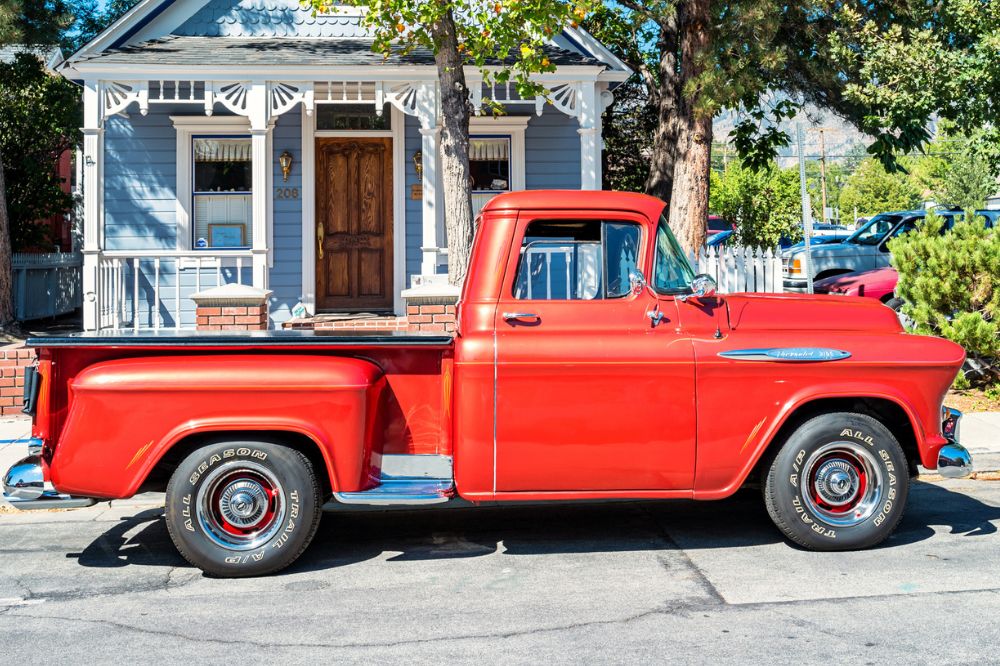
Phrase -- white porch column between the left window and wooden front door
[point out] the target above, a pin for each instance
(260, 137)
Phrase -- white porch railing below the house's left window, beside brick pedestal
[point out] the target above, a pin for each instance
(152, 289)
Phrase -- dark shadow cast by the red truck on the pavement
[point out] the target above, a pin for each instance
(347, 537)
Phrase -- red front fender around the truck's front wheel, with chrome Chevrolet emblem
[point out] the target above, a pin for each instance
(743, 404)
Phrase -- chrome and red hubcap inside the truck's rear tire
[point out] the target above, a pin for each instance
(240, 505)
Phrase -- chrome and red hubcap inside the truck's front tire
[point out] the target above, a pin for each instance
(842, 484)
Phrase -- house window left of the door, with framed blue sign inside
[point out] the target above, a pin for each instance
(223, 183)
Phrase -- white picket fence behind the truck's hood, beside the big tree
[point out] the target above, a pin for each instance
(742, 268)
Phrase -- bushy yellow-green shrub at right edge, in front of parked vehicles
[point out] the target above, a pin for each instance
(950, 283)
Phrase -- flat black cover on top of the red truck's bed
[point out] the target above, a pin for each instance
(280, 338)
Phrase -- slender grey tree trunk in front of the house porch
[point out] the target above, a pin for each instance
(455, 111)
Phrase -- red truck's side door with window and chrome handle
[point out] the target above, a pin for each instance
(589, 397)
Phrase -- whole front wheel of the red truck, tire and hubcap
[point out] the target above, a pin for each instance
(839, 482)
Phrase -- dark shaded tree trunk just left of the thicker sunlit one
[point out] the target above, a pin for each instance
(661, 163)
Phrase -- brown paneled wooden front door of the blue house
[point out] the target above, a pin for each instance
(354, 224)
